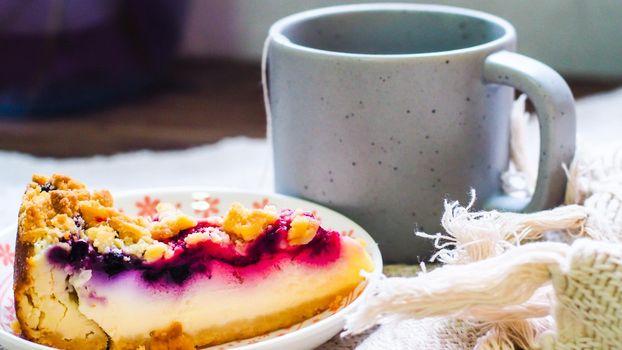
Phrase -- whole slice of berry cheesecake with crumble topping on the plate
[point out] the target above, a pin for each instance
(88, 276)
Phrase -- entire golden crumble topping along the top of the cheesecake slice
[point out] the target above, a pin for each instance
(58, 208)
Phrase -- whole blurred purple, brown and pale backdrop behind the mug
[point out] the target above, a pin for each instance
(90, 77)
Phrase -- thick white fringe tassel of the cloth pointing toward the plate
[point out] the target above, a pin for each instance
(489, 290)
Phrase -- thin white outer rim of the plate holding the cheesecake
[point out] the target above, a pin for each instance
(325, 323)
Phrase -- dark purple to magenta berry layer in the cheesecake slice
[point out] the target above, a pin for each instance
(265, 252)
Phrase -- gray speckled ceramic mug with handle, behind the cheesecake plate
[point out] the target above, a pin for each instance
(381, 111)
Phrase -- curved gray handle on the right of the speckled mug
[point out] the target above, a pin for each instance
(554, 106)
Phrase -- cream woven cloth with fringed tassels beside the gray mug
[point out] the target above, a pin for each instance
(502, 286)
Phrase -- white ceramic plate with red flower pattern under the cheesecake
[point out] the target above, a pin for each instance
(205, 202)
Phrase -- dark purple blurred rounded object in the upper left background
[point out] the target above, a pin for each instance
(71, 55)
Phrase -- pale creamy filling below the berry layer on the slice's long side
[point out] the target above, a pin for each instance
(125, 307)
